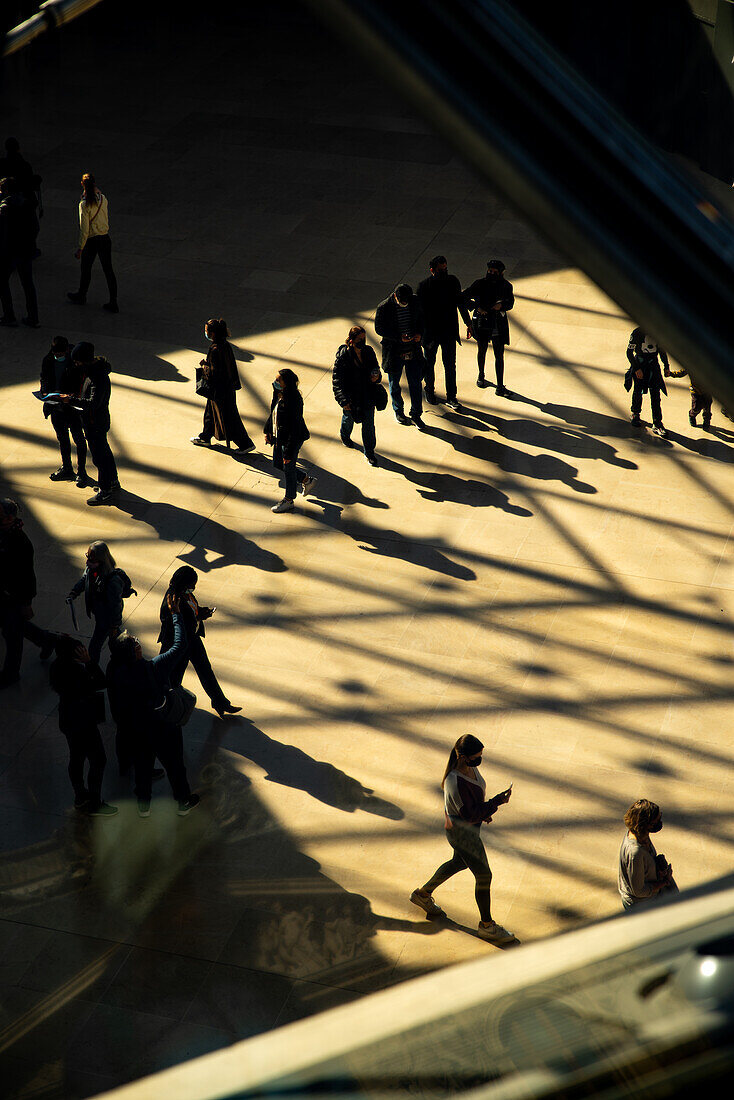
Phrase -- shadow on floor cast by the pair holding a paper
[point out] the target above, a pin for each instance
(179, 525)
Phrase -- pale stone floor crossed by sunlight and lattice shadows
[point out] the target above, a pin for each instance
(531, 569)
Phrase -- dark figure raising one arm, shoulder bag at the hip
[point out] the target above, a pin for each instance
(137, 689)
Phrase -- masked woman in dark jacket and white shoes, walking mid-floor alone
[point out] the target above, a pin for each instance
(286, 430)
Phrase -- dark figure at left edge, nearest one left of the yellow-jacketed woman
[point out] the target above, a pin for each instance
(19, 228)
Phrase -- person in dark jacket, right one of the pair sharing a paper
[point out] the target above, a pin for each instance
(95, 403)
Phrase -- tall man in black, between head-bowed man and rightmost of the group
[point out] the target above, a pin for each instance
(441, 298)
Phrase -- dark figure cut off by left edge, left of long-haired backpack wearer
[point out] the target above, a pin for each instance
(17, 593)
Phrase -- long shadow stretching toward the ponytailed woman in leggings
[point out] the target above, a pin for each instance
(292, 767)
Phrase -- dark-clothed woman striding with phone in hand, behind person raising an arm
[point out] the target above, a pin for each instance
(182, 587)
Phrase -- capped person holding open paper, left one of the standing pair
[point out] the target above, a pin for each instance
(60, 376)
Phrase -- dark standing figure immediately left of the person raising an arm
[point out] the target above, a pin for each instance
(80, 683)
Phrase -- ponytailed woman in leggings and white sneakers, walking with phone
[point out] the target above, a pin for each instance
(466, 809)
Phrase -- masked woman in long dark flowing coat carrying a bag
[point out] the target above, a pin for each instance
(222, 419)
